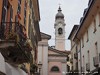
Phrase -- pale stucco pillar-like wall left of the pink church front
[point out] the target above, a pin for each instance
(43, 56)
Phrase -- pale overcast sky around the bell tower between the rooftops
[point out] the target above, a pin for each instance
(72, 10)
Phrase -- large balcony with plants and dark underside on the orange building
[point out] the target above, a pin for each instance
(13, 44)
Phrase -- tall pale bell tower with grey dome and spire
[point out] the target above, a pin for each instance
(59, 30)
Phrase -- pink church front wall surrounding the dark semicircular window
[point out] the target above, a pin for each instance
(58, 61)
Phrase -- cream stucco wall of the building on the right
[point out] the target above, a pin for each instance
(90, 45)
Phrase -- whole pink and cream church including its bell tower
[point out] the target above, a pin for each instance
(53, 60)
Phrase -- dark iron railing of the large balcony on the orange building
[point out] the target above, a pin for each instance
(11, 31)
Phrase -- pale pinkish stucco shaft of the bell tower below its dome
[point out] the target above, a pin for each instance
(59, 39)
